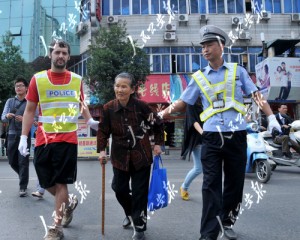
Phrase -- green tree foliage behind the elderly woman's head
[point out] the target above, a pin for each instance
(111, 53)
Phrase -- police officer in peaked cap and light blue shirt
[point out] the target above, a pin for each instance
(220, 86)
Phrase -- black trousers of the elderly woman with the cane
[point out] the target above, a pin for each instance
(134, 201)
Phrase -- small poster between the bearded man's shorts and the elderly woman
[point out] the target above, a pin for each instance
(87, 147)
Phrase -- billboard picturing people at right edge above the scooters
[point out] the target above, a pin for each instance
(278, 78)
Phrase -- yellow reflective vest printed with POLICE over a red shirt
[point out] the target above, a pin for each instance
(59, 103)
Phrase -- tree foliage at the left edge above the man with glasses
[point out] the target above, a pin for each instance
(11, 65)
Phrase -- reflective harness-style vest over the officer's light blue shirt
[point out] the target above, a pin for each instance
(211, 91)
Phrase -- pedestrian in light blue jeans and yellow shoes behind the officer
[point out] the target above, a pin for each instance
(192, 144)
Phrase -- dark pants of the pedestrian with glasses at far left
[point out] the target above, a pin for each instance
(17, 162)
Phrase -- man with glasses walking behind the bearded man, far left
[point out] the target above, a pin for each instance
(13, 115)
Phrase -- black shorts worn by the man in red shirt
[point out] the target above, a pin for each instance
(56, 163)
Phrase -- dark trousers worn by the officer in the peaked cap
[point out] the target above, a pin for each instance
(229, 154)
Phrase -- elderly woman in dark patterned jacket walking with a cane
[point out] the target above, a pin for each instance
(130, 122)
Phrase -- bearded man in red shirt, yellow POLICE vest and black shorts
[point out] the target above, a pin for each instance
(60, 96)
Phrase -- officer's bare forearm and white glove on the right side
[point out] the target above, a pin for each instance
(265, 107)
